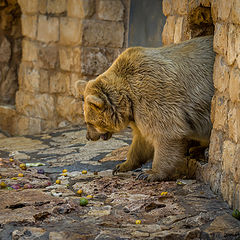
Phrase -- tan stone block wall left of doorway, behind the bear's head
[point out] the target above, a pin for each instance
(64, 41)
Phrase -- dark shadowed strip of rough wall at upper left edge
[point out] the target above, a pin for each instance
(10, 50)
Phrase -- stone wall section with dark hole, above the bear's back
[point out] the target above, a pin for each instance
(186, 19)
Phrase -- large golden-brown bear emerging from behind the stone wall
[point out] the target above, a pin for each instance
(164, 94)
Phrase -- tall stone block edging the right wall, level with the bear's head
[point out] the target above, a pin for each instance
(220, 111)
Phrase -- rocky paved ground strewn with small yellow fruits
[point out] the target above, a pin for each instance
(43, 200)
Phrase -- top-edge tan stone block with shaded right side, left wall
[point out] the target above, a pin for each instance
(81, 8)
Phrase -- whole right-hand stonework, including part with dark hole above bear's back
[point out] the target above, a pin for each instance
(187, 19)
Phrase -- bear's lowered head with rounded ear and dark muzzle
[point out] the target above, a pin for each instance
(107, 108)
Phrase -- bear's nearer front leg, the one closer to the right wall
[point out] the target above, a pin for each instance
(168, 155)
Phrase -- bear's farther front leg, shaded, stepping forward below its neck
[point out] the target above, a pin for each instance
(139, 153)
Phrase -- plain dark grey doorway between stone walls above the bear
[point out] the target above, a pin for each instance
(146, 23)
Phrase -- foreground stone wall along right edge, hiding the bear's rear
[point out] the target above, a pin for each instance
(224, 161)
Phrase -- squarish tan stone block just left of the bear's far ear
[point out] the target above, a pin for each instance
(59, 82)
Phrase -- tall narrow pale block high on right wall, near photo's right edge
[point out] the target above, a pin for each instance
(231, 52)
